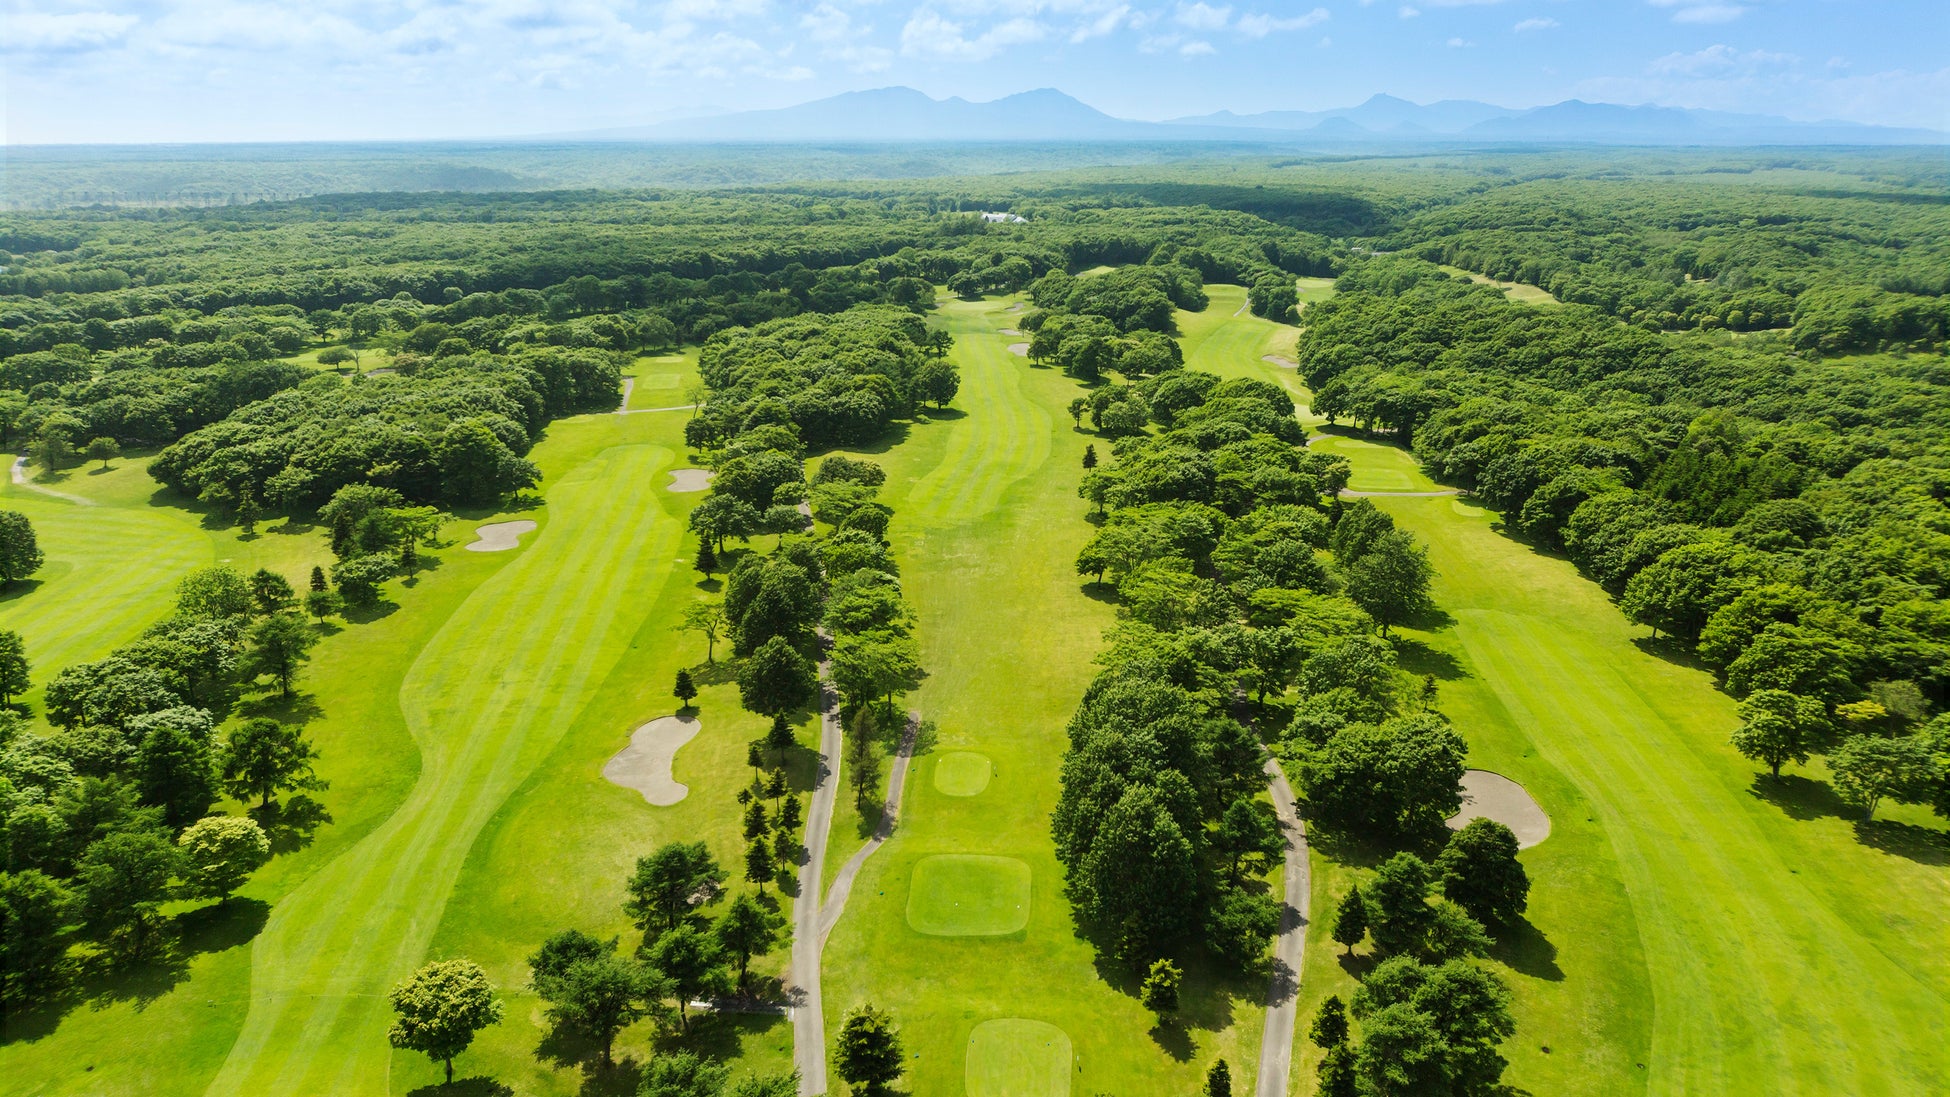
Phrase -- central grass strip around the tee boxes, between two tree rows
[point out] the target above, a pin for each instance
(986, 529)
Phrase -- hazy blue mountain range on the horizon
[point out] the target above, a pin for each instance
(908, 116)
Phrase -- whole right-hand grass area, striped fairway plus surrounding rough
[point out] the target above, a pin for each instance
(1692, 928)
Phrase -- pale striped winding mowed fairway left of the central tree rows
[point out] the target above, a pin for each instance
(485, 702)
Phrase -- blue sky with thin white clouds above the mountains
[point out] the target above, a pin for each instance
(91, 71)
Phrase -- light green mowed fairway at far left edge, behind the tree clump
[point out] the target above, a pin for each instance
(110, 574)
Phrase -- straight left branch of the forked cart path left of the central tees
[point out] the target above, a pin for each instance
(802, 975)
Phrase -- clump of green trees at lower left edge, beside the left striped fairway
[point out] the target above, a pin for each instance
(106, 815)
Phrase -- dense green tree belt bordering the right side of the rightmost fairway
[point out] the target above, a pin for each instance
(1777, 517)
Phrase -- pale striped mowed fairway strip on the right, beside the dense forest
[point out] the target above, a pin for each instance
(1736, 940)
